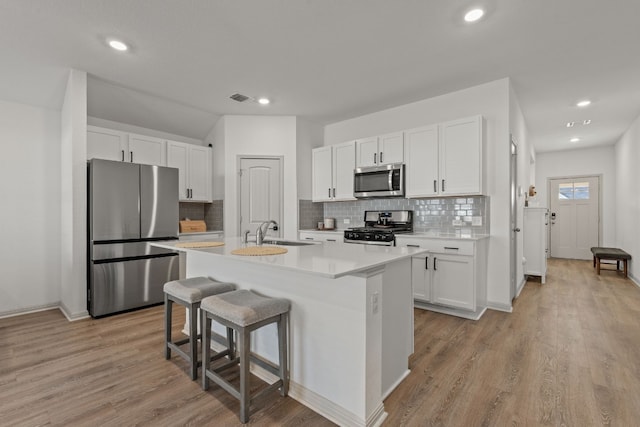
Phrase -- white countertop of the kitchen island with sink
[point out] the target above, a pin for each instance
(332, 260)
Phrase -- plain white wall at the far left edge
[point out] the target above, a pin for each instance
(30, 214)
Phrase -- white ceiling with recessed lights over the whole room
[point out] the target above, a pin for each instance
(327, 60)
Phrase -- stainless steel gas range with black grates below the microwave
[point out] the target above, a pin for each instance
(380, 228)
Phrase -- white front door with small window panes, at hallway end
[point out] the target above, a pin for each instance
(575, 219)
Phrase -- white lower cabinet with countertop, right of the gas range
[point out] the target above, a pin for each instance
(450, 277)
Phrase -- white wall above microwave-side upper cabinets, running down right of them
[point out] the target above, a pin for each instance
(491, 100)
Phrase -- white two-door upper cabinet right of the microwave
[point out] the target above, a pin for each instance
(445, 159)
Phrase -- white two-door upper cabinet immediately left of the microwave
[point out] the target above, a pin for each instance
(332, 172)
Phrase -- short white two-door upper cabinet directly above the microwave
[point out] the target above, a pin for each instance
(380, 150)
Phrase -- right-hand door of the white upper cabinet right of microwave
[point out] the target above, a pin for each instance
(461, 157)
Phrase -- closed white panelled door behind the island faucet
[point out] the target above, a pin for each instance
(260, 194)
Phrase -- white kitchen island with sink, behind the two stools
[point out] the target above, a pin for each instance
(351, 320)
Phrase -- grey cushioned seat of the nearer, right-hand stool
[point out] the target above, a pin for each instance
(244, 307)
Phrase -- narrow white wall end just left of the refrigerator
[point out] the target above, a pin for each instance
(73, 195)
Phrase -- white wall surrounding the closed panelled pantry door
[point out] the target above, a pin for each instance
(258, 136)
